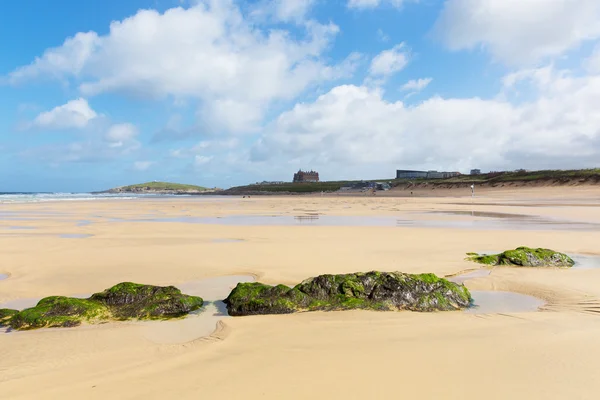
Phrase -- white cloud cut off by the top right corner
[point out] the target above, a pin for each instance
(519, 32)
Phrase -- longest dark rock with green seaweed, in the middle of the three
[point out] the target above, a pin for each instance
(374, 290)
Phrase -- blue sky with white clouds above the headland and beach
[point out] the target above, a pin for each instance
(101, 93)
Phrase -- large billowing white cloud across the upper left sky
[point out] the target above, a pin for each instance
(210, 52)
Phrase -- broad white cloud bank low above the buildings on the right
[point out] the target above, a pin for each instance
(353, 131)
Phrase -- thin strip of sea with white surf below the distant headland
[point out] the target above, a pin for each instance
(35, 197)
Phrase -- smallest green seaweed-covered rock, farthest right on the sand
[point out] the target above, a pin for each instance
(525, 257)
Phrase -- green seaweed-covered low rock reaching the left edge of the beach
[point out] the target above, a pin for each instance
(121, 302)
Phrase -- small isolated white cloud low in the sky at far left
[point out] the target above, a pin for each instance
(74, 114)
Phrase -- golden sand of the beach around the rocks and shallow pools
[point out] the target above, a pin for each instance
(551, 354)
